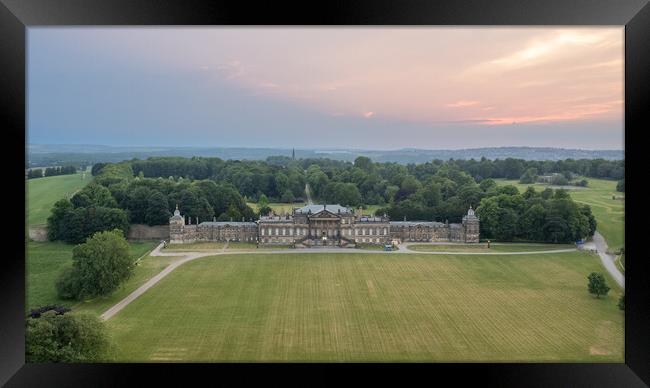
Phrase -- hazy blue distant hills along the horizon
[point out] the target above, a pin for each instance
(48, 155)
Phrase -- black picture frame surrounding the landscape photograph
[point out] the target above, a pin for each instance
(18, 15)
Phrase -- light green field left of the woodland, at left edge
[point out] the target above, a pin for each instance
(42, 193)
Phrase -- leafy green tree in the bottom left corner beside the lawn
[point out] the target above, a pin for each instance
(71, 337)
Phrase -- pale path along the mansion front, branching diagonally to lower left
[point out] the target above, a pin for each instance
(184, 257)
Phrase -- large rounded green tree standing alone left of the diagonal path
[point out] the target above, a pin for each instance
(99, 266)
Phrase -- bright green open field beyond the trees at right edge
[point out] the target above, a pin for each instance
(609, 212)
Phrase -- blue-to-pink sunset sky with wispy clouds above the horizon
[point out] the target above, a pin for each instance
(306, 87)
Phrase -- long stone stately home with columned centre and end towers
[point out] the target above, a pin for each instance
(323, 225)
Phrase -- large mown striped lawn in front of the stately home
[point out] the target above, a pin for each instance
(374, 307)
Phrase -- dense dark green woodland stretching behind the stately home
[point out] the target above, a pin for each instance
(147, 191)
